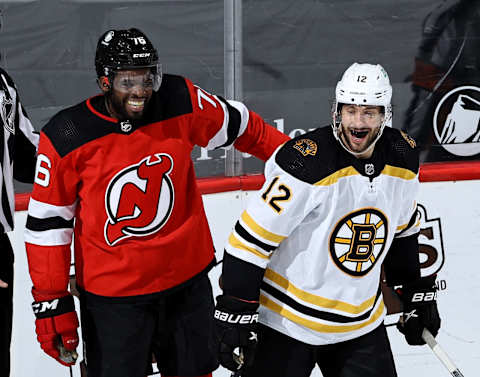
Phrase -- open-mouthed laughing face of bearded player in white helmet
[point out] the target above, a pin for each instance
(359, 128)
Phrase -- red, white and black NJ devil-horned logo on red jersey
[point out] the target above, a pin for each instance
(139, 199)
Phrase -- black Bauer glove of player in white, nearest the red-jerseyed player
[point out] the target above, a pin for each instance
(235, 332)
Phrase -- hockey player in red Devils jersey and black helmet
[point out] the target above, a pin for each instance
(115, 171)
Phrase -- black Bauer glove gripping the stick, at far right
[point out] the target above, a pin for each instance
(419, 310)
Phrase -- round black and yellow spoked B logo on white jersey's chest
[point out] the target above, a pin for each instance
(358, 240)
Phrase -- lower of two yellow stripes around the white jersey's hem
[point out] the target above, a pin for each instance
(315, 325)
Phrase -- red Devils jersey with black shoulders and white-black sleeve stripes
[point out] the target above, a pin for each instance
(126, 191)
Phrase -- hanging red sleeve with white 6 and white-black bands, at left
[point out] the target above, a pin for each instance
(49, 227)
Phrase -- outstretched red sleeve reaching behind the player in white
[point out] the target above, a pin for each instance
(220, 123)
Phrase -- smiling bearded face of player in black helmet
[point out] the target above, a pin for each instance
(130, 93)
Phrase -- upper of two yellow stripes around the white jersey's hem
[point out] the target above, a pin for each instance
(317, 300)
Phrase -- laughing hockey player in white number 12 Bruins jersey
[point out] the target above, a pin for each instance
(305, 256)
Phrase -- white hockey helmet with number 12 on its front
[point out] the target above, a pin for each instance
(363, 84)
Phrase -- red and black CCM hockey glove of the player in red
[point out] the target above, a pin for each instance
(56, 326)
